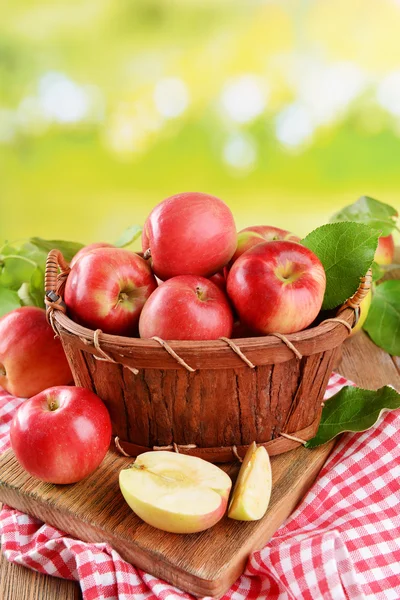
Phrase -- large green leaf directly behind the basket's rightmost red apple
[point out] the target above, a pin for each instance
(346, 251)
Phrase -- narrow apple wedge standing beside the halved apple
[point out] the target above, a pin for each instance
(252, 491)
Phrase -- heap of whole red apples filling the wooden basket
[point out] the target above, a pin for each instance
(197, 278)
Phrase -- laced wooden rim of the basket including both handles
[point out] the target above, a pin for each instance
(327, 335)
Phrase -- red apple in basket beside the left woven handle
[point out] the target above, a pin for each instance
(107, 288)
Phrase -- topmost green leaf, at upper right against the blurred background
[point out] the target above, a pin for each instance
(371, 212)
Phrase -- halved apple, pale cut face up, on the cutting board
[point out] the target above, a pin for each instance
(175, 492)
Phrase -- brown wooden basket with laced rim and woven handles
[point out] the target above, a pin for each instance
(209, 399)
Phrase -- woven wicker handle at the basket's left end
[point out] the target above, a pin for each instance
(54, 282)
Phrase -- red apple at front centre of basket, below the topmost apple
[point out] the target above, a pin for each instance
(186, 308)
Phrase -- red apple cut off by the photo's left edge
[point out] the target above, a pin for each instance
(30, 358)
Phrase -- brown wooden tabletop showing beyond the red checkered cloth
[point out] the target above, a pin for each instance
(363, 362)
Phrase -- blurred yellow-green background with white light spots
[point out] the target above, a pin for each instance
(286, 110)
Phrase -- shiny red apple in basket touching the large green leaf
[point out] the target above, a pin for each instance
(277, 287)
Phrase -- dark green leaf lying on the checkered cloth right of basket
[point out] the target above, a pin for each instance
(353, 409)
